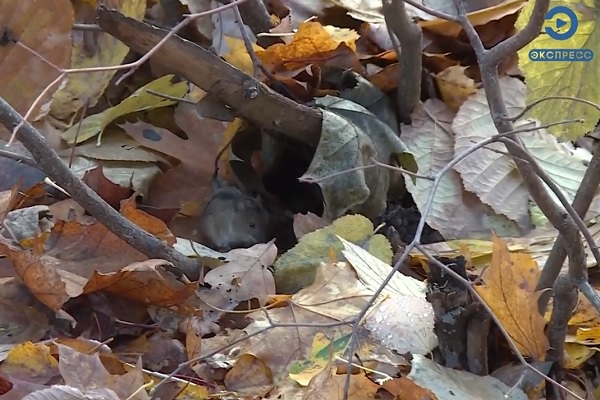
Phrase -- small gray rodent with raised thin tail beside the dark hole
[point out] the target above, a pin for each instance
(232, 219)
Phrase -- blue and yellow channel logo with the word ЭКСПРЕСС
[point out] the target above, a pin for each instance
(565, 17)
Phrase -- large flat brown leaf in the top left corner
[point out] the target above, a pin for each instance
(43, 27)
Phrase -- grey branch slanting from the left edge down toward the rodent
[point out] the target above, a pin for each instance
(58, 171)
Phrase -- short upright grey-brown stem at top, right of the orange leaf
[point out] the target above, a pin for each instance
(409, 56)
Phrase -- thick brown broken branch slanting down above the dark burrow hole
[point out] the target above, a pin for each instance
(268, 109)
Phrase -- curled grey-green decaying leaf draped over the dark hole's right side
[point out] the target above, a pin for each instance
(351, 135)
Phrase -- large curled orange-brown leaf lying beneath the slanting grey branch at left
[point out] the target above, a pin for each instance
(82, 257)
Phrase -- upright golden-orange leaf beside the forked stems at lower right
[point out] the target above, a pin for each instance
(514, 305)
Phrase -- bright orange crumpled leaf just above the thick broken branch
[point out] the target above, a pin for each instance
(311, 41)
